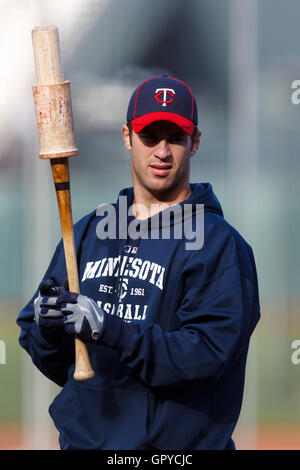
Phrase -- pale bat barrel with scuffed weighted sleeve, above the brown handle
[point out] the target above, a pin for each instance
(52, 96)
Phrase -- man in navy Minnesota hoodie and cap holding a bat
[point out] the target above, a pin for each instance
(167, 322)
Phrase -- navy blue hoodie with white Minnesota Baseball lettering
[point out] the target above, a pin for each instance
(170, 364)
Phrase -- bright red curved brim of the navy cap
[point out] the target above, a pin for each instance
(139, 123)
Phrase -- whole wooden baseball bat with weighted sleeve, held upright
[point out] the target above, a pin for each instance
(56, 136)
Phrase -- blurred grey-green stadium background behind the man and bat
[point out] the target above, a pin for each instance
(240, 58)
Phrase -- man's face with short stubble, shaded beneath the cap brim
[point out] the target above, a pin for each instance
(160, 157)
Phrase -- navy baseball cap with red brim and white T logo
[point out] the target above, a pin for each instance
(163, 98)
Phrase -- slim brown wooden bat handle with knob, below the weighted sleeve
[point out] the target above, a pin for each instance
(60, 172)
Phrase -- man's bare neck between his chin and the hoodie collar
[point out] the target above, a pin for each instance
(147, 204)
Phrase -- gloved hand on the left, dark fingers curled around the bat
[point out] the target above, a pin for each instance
(47, 313)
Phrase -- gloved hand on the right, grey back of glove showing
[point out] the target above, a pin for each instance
(82, 316)
